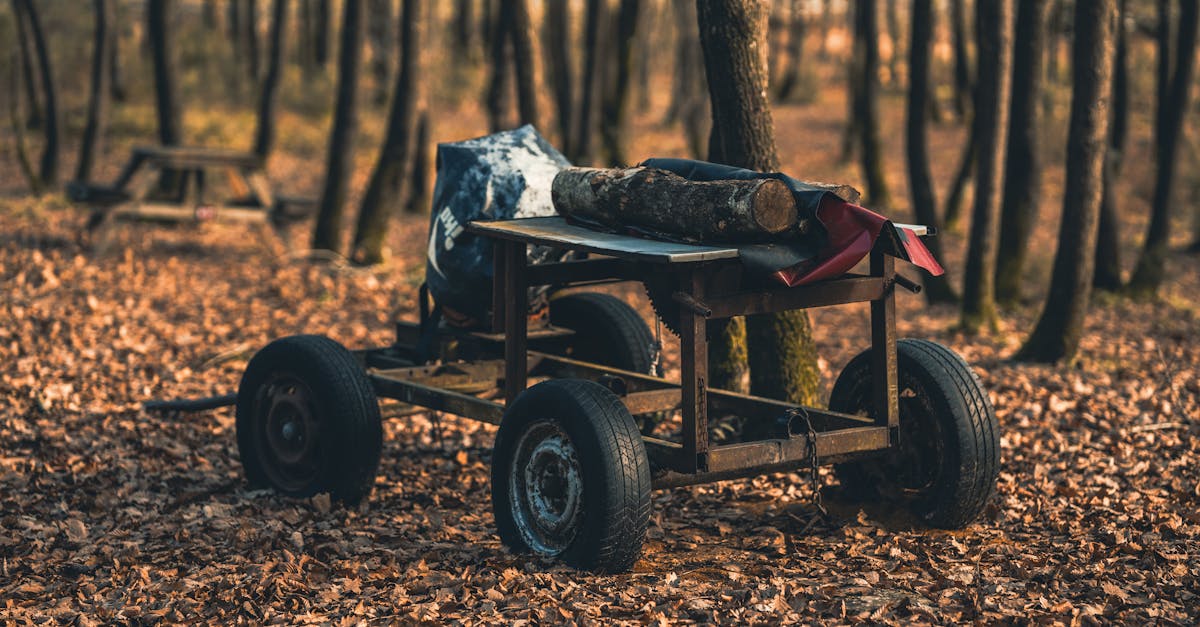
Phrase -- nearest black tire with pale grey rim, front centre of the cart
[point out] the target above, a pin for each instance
(593, 488)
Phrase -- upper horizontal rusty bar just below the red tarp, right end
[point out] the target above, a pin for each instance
(821, 295)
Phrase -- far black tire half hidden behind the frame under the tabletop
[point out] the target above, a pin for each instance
(609, 332)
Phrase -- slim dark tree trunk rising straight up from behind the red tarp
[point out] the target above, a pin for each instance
(867, 104)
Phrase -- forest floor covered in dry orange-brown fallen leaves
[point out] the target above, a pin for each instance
(110, 515)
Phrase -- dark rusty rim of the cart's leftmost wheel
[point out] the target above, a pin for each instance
(289, 433)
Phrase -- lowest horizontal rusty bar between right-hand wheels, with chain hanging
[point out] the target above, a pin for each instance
(735, 462)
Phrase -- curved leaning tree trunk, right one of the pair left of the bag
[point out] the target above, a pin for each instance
(386, 188)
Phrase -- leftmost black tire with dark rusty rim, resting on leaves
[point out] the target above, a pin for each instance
(309, 421)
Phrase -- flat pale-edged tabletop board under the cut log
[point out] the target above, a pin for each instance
(556, 232)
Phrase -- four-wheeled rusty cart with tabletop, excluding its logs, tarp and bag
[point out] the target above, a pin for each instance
(572, 473)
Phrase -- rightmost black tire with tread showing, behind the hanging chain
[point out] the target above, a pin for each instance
(949, 459)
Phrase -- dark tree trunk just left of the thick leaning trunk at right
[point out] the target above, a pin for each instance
(1023, 171)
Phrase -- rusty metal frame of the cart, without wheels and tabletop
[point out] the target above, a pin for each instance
(693, 459)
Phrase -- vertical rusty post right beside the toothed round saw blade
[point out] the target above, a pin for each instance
(694, 378)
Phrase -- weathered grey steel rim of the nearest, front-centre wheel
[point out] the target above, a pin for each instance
(547, 489)
